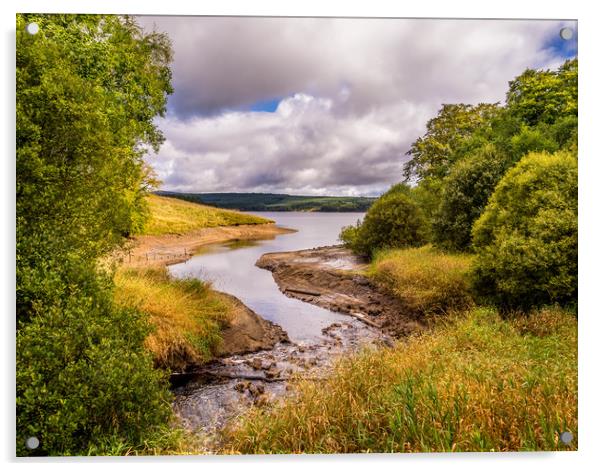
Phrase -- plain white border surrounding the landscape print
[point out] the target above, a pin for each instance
(589, 192)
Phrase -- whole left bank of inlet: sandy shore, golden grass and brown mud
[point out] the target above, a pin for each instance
(192, 322)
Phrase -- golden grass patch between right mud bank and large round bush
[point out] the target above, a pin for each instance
(425, 279)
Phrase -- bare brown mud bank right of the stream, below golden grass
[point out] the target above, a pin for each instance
(331, 277)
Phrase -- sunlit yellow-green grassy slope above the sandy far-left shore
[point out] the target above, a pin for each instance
(174, 216)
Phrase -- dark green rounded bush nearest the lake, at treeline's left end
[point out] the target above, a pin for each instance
(393, 221)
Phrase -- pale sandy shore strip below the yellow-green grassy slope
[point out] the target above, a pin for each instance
(168, 249)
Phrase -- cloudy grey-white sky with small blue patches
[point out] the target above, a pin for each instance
(327, 106)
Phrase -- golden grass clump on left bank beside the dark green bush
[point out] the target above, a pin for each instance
(187, 315)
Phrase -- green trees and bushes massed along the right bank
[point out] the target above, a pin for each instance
(498, 181)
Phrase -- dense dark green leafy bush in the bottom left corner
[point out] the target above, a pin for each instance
(83, 377)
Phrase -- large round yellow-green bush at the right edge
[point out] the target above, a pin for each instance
(526, 240)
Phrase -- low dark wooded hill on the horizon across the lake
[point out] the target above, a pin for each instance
(276, 202)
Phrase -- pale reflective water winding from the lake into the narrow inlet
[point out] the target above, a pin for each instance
(231, 268)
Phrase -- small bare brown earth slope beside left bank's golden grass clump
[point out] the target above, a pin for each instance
(248, 332)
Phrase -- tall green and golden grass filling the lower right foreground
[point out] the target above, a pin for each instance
(476, 382)
